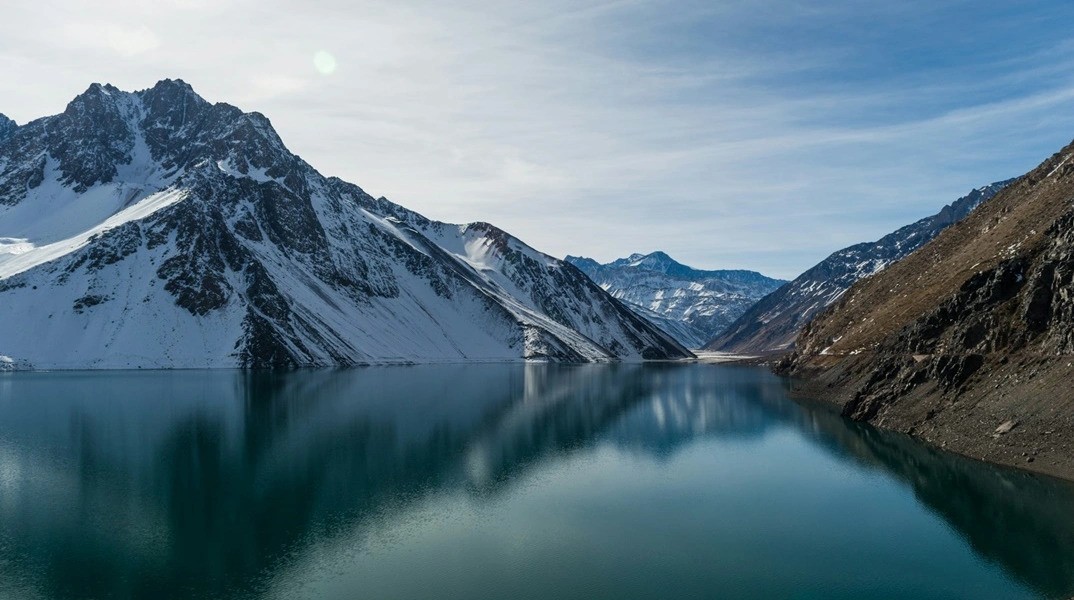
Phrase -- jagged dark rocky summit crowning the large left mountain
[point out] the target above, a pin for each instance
(150, 138)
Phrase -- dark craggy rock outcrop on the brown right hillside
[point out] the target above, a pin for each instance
(1003, 311)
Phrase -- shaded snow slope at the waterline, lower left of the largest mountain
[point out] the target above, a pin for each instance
(139, 326)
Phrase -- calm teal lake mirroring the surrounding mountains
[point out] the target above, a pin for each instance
(498, 481)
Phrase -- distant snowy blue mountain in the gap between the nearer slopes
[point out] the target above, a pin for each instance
(691, 304)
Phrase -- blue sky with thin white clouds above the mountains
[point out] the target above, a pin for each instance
(759, 135)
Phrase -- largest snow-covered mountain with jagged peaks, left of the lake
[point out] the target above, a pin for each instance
(154, 229)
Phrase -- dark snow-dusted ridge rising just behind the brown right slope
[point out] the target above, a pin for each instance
(773, 324)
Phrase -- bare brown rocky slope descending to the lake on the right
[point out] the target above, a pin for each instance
(968, 343)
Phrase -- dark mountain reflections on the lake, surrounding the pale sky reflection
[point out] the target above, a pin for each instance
(212, 484)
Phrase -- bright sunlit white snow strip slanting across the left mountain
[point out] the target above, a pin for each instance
(28, 258)
